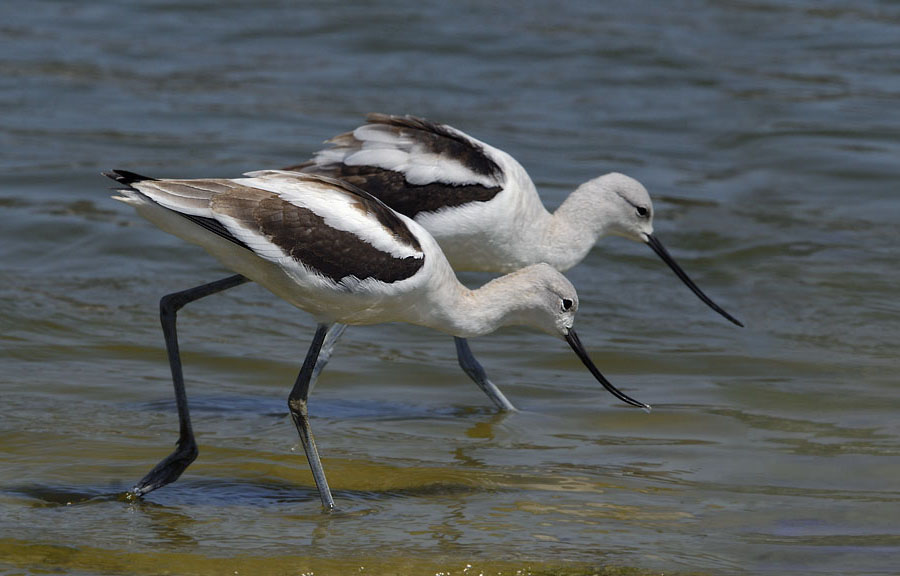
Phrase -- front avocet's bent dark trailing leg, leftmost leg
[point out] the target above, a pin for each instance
(171, 467)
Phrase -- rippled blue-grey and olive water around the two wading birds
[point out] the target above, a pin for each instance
(768, 134)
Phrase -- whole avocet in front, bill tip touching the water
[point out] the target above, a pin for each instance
(337, 252)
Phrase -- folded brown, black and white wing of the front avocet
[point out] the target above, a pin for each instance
(308, 225)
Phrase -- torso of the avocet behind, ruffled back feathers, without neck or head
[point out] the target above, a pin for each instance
(477, 201)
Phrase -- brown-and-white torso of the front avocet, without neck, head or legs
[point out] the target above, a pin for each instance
(321, 244)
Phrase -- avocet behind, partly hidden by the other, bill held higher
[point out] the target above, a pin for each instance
(482, 207)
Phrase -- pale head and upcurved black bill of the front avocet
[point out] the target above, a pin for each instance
(555, 314)
